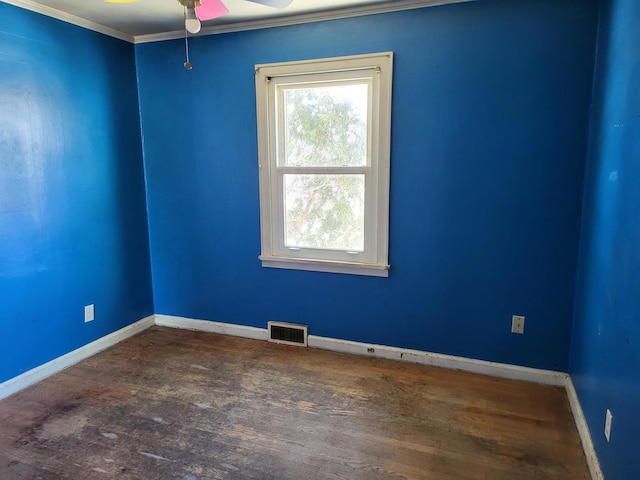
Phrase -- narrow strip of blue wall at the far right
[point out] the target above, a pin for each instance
(605, 356)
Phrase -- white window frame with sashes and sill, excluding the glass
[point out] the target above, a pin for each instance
(271, 80)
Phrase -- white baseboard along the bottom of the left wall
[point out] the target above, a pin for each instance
(56, 365)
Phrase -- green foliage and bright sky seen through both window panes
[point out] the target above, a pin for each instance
(325, 127)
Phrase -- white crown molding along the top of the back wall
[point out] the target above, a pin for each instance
(386, 7)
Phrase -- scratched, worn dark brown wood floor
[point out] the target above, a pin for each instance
(173, 404)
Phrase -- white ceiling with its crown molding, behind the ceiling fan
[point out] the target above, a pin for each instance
(148, 20)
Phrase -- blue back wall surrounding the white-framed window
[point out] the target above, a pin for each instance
(490, 114)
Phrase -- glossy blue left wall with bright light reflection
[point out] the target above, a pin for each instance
(72, 206)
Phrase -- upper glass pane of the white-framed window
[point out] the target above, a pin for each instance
(326, 126)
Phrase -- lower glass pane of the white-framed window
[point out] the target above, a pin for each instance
(324, 211)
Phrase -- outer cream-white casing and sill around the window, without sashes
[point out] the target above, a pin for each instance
(272, 254)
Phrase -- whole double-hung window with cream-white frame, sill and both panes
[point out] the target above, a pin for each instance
(324, 143)
